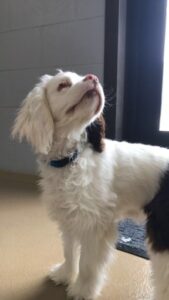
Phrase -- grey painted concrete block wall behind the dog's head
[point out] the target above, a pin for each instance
(37, 36)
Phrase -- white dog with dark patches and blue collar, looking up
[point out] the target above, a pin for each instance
(90, 183)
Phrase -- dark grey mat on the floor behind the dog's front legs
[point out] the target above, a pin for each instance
(132, 238)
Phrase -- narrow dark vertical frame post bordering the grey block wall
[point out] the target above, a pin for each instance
(110, 63)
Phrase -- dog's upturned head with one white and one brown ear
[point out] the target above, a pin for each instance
(65, 103)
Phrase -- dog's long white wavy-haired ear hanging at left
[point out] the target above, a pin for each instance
(34, 121)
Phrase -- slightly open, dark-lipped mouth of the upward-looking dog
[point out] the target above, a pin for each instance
(91, 94)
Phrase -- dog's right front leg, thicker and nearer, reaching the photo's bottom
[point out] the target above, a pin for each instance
(96, 252)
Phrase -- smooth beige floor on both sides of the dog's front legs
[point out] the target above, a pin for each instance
(30, 244)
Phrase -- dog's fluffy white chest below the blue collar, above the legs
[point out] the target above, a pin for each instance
(78, 193)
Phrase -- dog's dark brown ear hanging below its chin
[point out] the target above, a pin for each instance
(96, 134)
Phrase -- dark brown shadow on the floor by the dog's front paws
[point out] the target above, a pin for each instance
(47, 290)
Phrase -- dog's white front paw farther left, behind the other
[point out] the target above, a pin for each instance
(59, 275)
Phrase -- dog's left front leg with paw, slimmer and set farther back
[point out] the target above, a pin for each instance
(66, 272)
